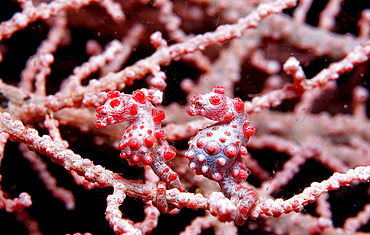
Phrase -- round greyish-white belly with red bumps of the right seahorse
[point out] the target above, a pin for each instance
(214, 150)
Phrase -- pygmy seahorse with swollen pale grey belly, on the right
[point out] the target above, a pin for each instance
(216, 151)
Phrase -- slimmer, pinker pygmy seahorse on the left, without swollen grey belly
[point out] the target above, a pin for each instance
(143, 141)
